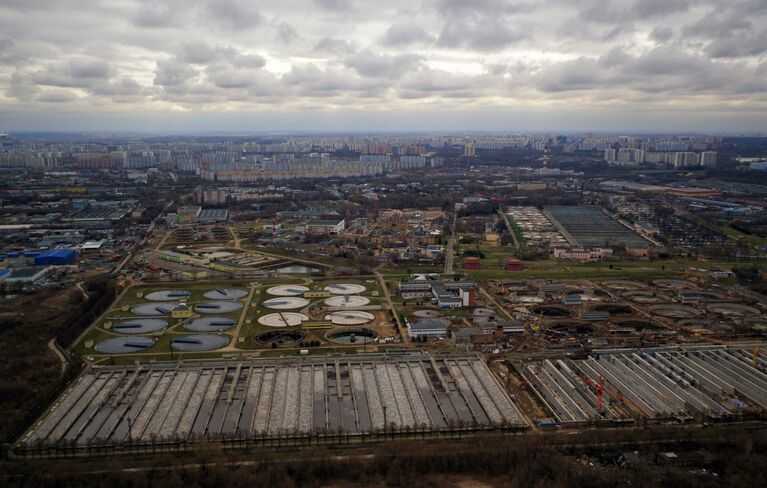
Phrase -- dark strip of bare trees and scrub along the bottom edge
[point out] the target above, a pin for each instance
(738, 457)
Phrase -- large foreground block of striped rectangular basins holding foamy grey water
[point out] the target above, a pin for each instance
(167, 402)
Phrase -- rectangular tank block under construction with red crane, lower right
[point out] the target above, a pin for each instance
(695, 383)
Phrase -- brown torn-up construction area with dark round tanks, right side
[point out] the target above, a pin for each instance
(616, 313)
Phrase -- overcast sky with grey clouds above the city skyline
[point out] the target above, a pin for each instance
(226, 65)
